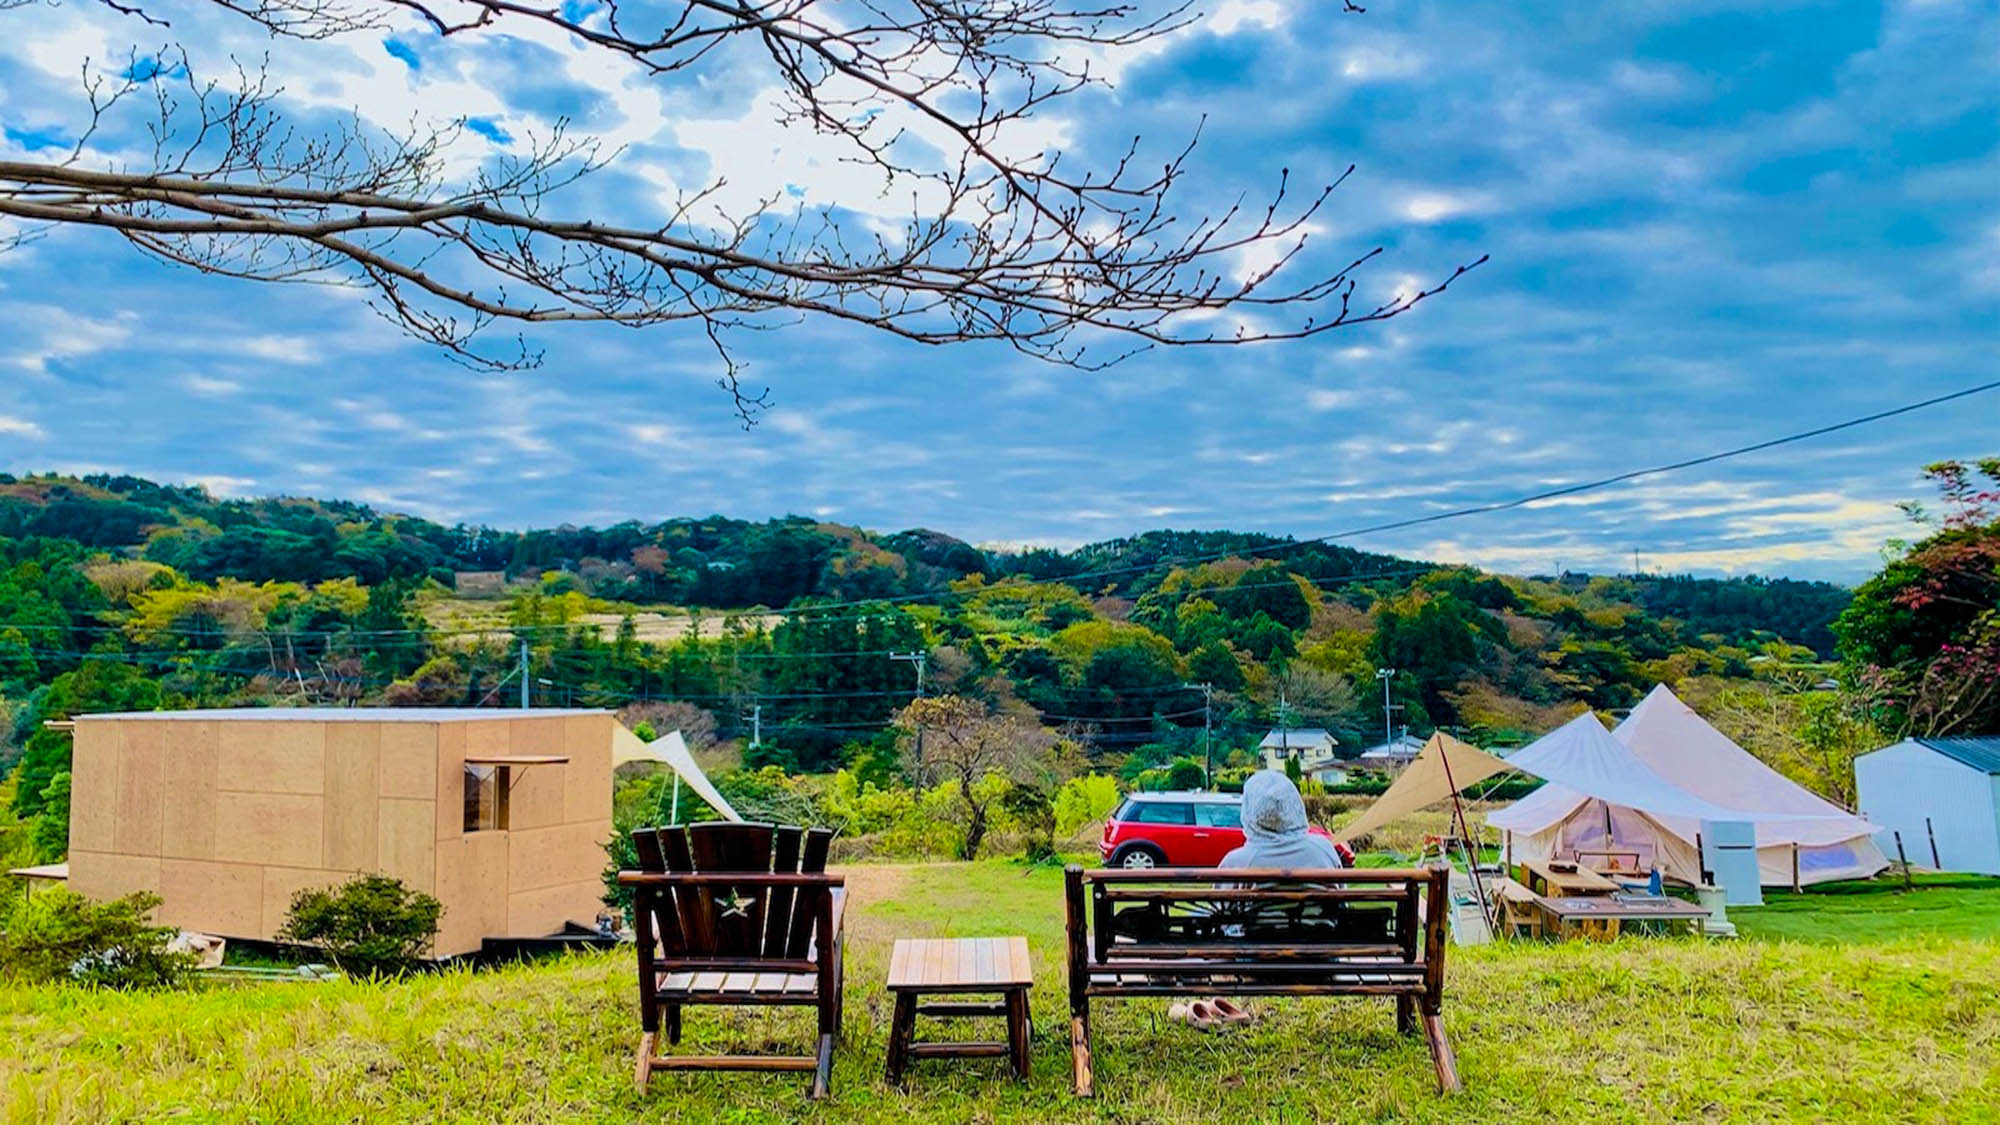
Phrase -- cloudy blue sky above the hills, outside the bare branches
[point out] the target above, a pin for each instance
(1707, 225)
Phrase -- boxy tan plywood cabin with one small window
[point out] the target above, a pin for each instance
(501, 816)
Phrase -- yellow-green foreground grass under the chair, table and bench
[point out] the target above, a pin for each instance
(1889, 1030)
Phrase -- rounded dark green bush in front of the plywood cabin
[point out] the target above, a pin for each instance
(369, 926)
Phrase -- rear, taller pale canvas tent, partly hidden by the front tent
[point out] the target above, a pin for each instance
(1683, 748)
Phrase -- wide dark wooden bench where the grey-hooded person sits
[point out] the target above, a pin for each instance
(1279, 934)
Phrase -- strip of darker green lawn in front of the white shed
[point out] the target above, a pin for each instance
(1941, 906)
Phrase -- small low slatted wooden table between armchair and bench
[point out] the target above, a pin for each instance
(959, 966)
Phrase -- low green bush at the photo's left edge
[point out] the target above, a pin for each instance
(59, 934)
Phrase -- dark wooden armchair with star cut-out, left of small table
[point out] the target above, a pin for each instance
(733, 914)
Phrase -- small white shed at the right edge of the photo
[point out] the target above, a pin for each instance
(1943, 796)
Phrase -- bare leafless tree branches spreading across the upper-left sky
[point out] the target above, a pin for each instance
(1001, 245)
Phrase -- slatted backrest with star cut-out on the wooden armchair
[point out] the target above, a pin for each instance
(721, 920)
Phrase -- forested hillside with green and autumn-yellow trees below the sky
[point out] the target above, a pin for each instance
(121, 594)
